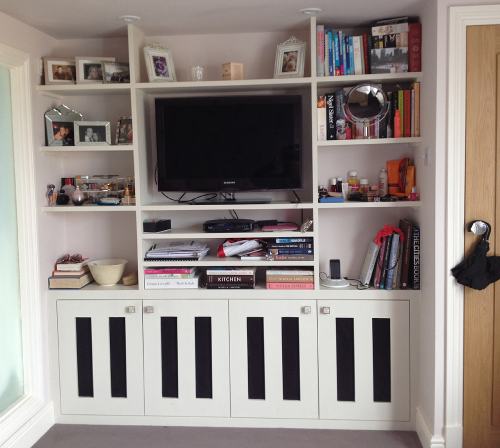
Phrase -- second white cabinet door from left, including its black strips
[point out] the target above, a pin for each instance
(186, 357)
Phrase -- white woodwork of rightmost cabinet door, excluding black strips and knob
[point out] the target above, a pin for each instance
(364, 407)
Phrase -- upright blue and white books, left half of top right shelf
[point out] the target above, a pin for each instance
(341, 52)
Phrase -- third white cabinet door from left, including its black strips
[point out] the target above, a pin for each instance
(273, 359)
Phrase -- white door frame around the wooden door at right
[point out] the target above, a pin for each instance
(460, 17)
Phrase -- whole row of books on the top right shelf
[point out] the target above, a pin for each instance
(391, 45)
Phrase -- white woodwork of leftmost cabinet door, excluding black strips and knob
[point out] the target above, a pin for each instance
(101, 403)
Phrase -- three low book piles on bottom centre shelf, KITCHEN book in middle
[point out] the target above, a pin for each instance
(225, 278)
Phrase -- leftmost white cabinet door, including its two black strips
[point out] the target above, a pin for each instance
(100, 357)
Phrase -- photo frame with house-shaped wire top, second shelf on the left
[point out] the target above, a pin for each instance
(59, 125)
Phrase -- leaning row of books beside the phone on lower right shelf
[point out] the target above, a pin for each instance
(393, 258)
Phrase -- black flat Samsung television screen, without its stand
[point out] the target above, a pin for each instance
(232, 143)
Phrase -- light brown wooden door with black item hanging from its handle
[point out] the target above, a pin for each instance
(482, 201)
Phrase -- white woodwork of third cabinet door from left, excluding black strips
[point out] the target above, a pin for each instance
(273, 406)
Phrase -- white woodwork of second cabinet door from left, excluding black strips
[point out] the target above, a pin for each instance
(187, 404)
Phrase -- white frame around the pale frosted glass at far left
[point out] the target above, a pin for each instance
(28, 417)
